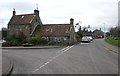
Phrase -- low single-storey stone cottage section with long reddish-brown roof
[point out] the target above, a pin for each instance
(58, 32)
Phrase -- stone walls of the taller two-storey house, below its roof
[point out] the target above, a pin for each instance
(27, 29)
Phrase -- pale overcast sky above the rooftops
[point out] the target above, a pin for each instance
(96, 13)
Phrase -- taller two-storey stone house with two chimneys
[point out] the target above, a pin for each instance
(25, 23)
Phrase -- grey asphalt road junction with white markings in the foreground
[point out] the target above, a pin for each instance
(83, 58)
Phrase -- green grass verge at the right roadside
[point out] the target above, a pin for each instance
(113, 41)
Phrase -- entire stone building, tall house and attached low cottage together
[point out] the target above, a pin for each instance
(31, 24)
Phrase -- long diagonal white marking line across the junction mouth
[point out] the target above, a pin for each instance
(60, 53)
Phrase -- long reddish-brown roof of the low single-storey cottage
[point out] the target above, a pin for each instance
(53, 30)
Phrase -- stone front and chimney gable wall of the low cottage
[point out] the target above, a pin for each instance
(68, 39)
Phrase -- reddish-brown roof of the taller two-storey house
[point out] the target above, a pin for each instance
(22, 19)
